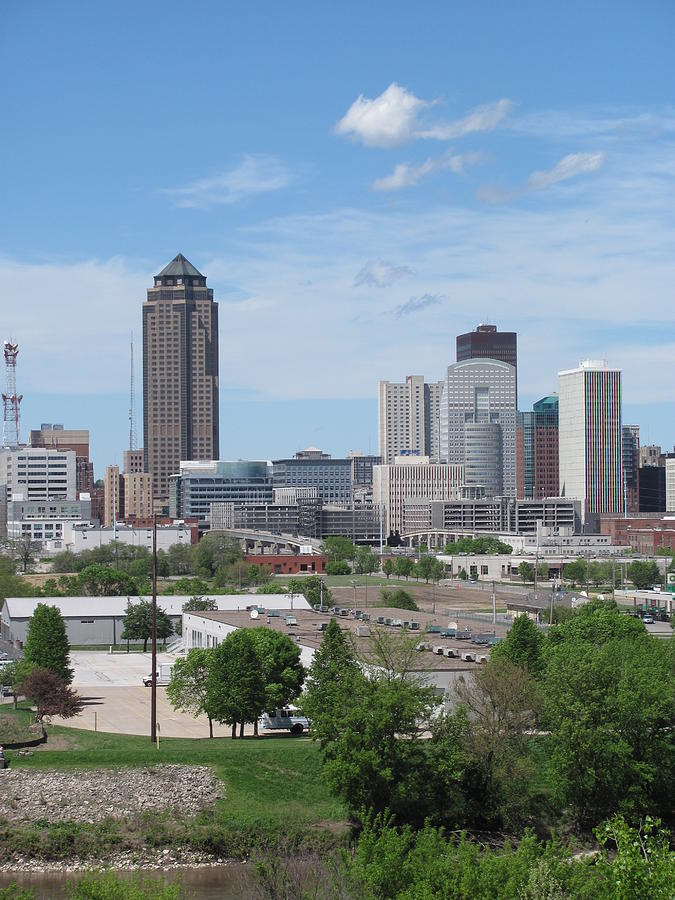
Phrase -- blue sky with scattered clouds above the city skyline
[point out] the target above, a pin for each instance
(359, 182)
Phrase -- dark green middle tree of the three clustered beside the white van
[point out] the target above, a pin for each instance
(235, 685)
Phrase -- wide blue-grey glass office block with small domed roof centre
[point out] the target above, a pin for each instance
(313, 468)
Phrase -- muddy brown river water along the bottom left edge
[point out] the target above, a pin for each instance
(228, 882)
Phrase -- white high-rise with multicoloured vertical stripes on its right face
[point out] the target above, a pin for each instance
(590, 437)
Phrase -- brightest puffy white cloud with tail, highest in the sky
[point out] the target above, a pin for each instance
(394, 118)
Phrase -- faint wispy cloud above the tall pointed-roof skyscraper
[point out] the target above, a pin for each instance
(254, 175)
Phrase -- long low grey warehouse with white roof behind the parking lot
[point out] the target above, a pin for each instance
(99, 620)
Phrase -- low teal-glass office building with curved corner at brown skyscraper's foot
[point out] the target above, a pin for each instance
(198, 485)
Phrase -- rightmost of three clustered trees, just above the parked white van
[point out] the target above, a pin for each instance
(282, 670)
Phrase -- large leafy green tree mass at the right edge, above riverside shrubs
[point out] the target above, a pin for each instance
(610, 706)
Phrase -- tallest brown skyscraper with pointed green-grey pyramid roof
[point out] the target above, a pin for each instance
(180, 373)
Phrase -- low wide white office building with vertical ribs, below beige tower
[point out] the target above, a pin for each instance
(411, 478)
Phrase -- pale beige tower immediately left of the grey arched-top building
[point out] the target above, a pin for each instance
(408, 418)
